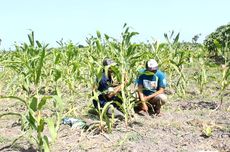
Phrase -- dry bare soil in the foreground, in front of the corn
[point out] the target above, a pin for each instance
(180, 128)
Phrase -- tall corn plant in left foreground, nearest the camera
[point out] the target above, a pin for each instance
(29, 64)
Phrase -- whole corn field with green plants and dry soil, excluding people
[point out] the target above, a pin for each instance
(40, 86)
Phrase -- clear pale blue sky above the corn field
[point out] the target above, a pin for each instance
(74, 20)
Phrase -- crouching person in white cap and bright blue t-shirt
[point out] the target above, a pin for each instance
(151, 86)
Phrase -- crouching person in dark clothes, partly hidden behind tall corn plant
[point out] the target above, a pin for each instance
(109, 91)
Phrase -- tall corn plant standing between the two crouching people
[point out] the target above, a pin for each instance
(126, 56)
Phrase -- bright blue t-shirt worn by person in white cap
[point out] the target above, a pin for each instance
(152, 82)
